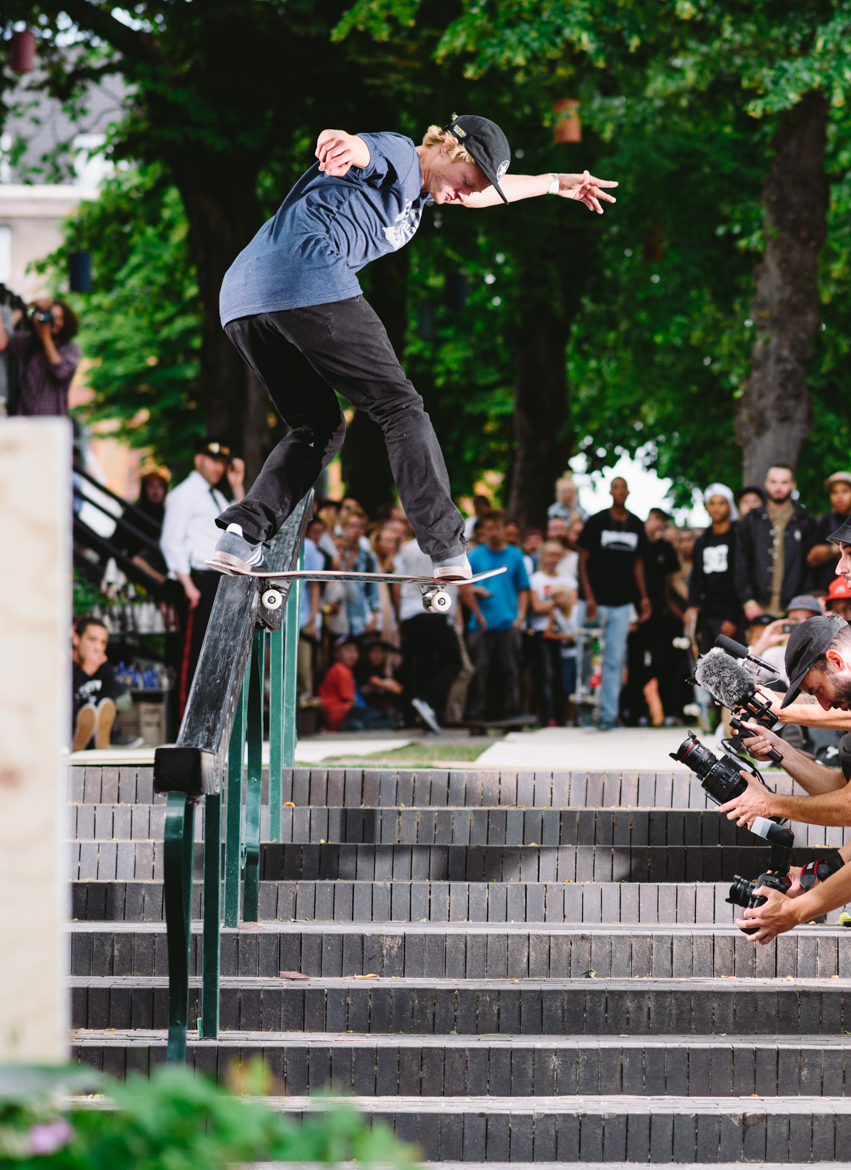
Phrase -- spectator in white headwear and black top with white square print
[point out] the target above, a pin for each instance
(713, 603)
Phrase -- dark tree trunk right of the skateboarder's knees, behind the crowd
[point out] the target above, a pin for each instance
(541, 416)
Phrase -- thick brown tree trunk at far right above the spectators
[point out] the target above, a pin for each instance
(775, 414)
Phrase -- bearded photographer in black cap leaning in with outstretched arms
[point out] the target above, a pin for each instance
(819, 663)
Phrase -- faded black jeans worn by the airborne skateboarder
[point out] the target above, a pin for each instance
(303, 356)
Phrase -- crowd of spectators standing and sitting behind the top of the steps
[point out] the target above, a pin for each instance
(372, 658)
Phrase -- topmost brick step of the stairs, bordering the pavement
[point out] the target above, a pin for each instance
(433, 788)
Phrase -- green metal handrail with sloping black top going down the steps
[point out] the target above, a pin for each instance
(223, 725)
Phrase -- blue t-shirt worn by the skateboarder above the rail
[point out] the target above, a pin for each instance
(326, 231)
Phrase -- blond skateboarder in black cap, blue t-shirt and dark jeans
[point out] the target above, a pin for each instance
(296, 288)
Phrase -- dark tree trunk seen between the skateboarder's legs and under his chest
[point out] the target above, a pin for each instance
(365, 457)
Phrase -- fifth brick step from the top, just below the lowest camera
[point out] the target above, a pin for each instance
(476, 952)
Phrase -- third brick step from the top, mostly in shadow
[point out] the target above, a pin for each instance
(143, 862)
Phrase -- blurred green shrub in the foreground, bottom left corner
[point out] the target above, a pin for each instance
(175, 1120)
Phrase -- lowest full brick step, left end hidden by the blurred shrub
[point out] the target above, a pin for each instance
(610, 1130)
